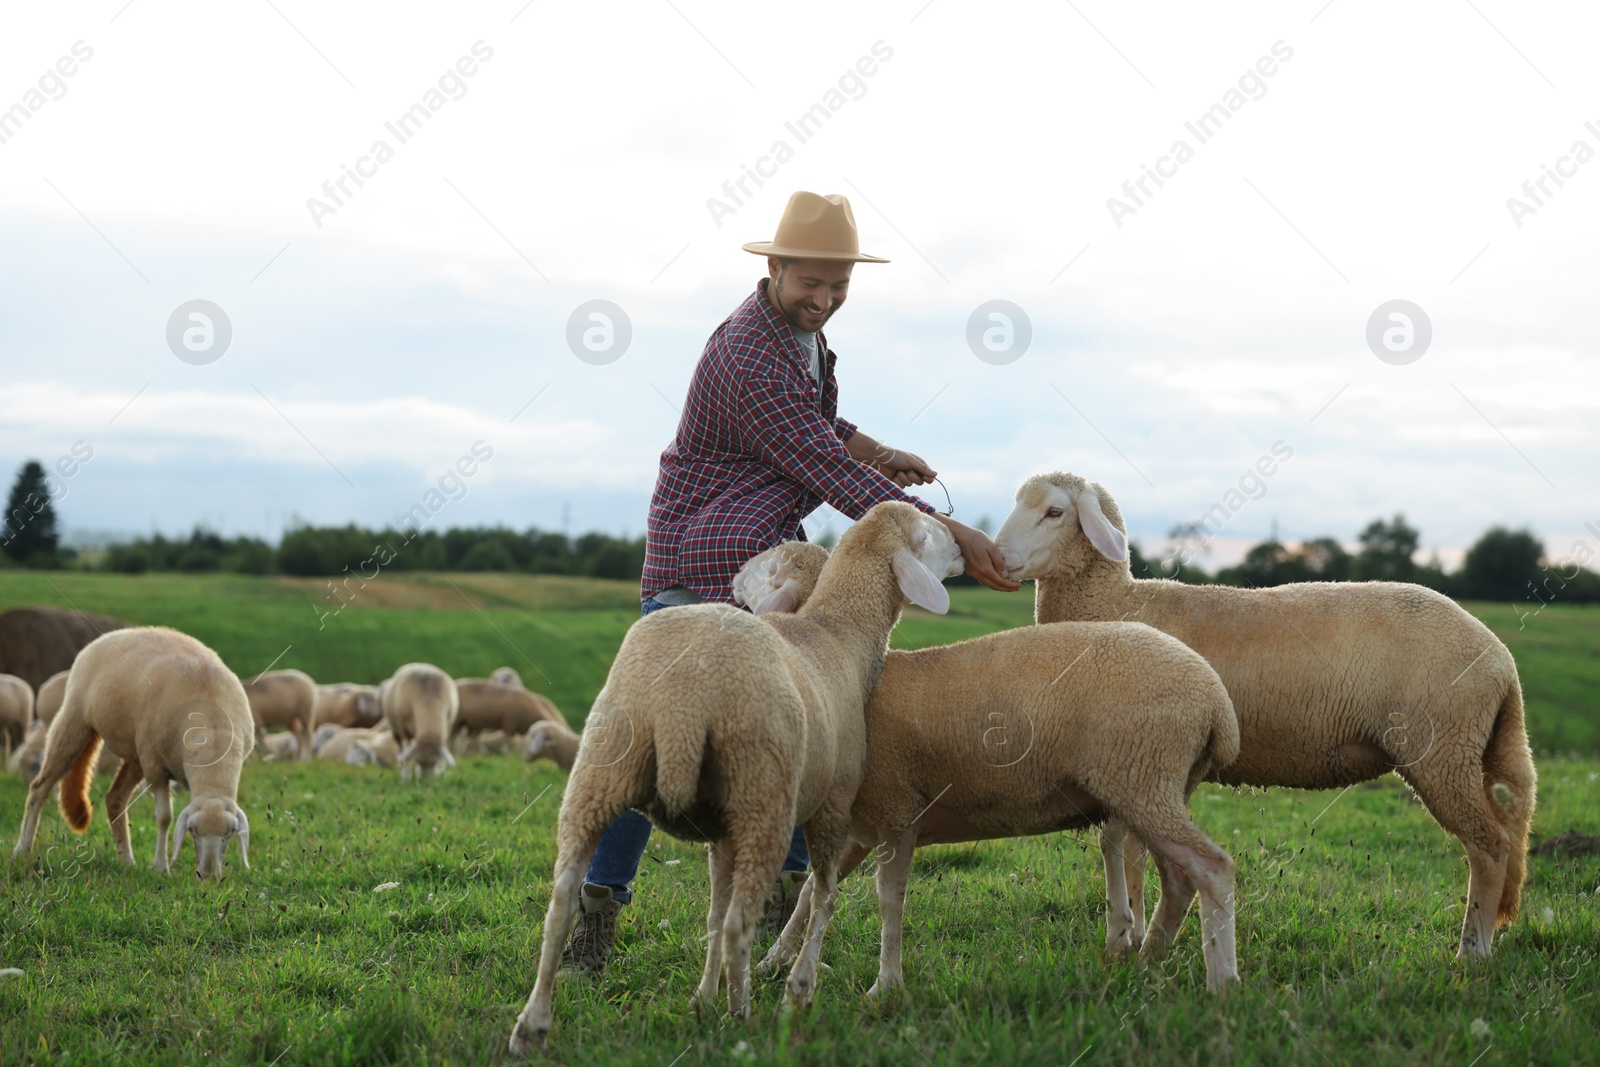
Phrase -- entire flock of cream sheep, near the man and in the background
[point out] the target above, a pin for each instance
(734, 727)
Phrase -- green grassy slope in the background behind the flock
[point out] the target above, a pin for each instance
(561, 633)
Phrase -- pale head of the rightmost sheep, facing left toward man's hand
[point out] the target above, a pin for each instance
(1060, 524)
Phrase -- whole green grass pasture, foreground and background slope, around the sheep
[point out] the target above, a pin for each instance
(1350, 901)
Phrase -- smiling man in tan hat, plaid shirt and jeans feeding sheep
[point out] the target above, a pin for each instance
(759, 447)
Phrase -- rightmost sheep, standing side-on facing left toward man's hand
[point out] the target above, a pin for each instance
(1334, 682)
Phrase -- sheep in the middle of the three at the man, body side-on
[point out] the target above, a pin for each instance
(1114, 719)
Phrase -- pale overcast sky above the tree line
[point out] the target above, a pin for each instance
(1358, 154)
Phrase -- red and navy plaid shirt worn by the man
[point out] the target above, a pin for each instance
(761, 446)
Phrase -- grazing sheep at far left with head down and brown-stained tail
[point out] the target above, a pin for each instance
(174, 713)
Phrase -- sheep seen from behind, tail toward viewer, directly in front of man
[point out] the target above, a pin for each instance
(758, 732)
